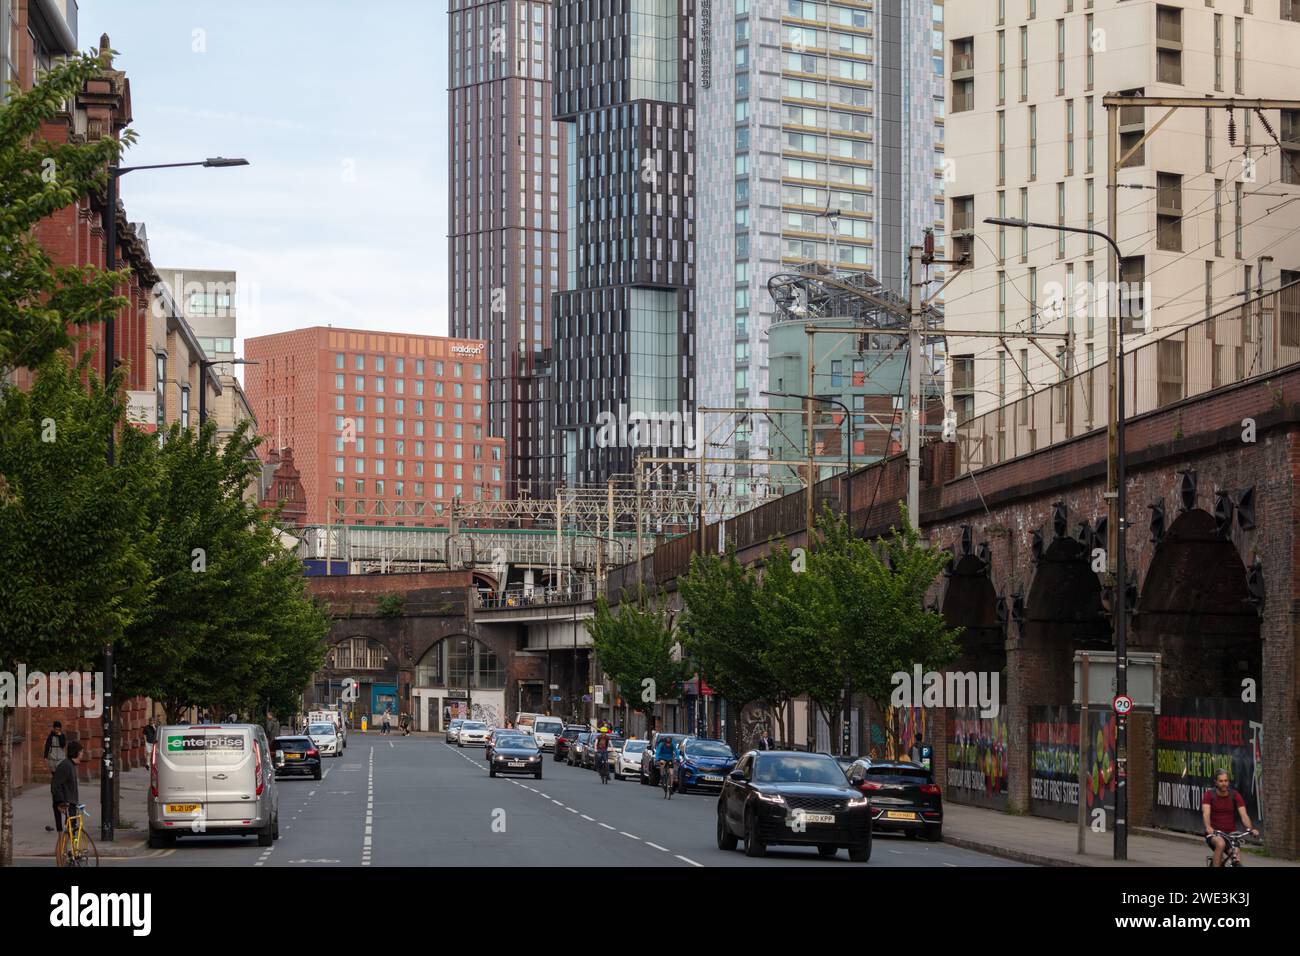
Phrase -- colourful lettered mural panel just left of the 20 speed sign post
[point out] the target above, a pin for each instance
(1055, 763)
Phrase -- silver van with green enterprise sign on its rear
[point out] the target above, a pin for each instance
(213, 780)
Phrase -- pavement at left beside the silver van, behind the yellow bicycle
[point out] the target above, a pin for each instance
(33, 814)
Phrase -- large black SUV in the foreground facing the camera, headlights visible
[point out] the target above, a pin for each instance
(798, 799)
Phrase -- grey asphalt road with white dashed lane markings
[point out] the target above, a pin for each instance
(417, 802)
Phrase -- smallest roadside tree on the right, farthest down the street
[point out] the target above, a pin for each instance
(635, 647)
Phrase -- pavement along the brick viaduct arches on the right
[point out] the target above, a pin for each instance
(1055, 843)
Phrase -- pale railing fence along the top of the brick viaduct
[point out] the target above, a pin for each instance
(1251, 340)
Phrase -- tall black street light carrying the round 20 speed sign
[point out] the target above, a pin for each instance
(1120, 496)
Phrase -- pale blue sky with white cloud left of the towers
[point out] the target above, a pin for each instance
(340, 107)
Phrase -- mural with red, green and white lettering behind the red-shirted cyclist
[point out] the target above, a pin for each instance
(1195, 738)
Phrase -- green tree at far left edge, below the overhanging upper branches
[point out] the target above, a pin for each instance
(73, 535)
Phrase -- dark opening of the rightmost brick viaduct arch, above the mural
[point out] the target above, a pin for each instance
(1194, 607)
